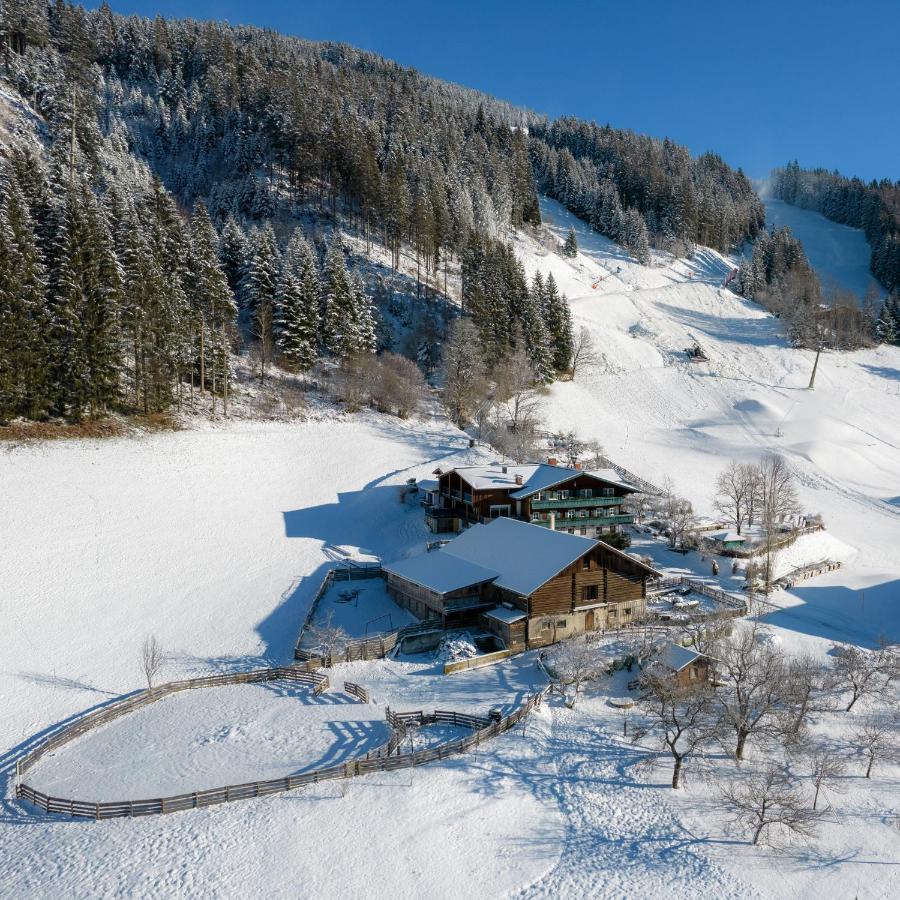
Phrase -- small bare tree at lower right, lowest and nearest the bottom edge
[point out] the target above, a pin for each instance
(770, 805)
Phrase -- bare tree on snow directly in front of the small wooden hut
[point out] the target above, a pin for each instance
(681, 718)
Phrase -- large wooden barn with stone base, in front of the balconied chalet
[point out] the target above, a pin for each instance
(527, 584)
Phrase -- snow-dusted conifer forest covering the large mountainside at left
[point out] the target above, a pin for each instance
(155, 226)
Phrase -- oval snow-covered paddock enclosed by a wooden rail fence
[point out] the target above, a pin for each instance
(210, 738)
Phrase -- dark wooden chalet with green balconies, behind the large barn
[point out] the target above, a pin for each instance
(572, 500)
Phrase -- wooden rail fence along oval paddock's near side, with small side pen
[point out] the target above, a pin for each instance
(375, 761)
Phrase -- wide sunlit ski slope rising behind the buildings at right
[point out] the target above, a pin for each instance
(661, 415)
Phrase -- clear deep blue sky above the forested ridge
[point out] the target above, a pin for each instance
(758, 82)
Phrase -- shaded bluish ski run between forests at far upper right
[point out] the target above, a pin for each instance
(838, 253)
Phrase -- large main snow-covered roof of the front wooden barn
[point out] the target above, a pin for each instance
(525, 556)
